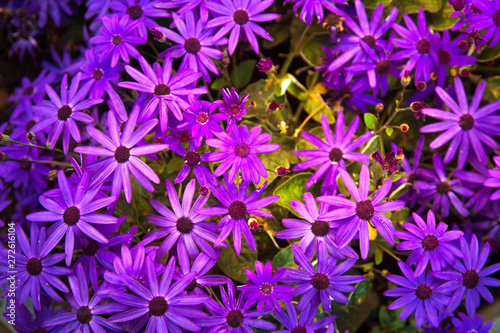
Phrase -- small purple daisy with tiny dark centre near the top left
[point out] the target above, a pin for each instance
(116, 39)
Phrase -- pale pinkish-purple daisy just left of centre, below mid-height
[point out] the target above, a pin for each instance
(183, 226)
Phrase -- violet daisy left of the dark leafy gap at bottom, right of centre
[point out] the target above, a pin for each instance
(320, 283)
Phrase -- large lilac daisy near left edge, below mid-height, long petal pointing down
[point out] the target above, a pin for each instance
(73, 213)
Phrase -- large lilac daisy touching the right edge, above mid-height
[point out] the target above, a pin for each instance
(465, 124)
